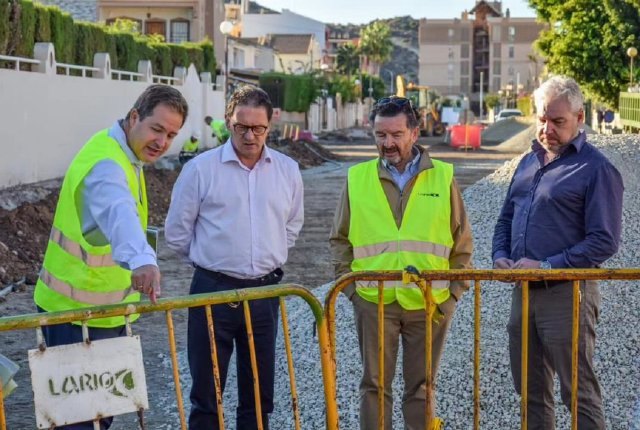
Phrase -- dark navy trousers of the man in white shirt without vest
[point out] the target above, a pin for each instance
(229, 327)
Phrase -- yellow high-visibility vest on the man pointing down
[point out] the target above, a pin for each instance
(76, 274)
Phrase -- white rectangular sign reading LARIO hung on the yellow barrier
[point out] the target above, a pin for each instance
(82, 382)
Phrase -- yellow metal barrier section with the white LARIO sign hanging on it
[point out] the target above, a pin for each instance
(167, 306)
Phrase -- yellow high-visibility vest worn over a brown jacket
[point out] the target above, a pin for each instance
(423, 240)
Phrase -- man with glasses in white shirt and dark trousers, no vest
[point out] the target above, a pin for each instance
(235, 211)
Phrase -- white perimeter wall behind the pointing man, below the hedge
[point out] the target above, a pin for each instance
(45, 119)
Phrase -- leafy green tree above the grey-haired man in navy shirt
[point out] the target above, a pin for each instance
(587, 40)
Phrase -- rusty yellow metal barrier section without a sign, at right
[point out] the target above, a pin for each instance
(424, 279)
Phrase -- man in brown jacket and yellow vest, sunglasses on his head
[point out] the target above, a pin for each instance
(401, 209)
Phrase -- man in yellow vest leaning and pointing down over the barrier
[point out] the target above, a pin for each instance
(98, 252)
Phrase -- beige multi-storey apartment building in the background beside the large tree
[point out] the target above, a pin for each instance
(484, 46)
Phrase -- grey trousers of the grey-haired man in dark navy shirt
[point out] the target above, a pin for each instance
(550, 316)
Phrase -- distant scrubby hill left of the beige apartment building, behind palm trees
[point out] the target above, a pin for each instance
(404, 36)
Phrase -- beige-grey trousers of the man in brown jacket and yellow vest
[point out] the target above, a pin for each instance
(410, 326)
